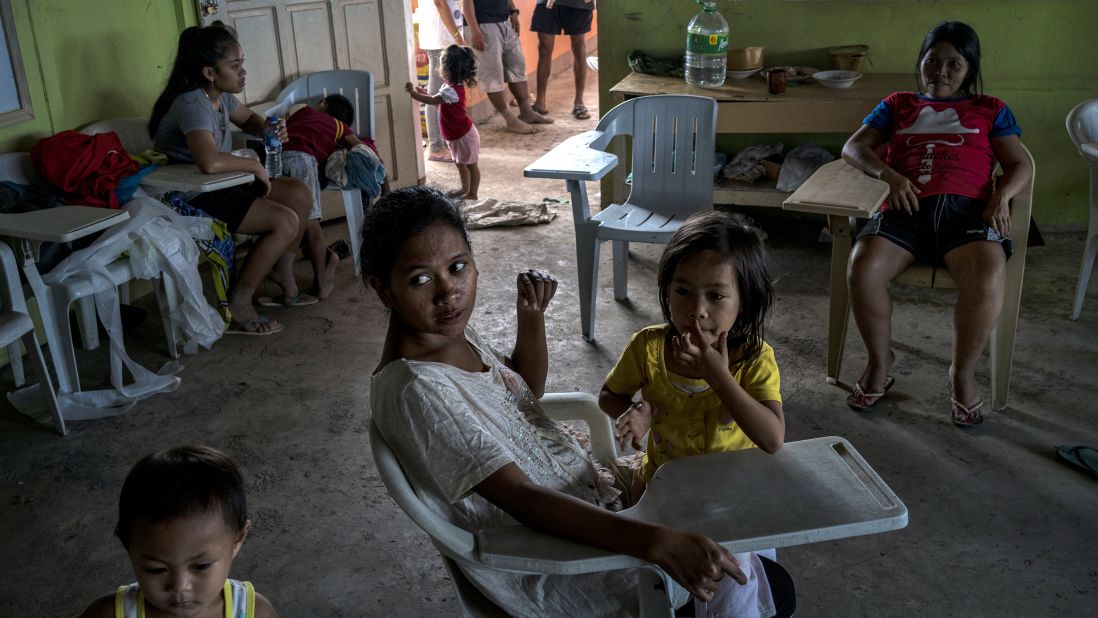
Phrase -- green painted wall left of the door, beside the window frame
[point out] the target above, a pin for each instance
(93, 60)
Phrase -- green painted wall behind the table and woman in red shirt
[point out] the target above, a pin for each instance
(1038, 55)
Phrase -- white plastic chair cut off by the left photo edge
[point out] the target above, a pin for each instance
(15, 325)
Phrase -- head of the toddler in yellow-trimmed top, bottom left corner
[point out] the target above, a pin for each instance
(183, 519)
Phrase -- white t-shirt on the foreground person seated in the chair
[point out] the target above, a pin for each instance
(451, 430)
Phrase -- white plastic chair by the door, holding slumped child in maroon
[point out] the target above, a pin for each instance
(358, 87)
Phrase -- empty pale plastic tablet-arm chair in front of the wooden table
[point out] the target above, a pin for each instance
(674, 141)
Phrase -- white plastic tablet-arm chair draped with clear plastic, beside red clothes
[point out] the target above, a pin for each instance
(55, 300)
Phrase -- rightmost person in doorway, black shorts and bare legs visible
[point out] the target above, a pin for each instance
(551, 19)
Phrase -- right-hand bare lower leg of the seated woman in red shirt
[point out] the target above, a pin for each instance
(980, 273)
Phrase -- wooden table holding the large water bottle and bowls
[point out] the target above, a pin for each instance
(746, 107)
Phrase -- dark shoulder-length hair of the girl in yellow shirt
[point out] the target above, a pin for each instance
(742, 244)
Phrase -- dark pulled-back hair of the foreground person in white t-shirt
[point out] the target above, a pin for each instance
(398, 217)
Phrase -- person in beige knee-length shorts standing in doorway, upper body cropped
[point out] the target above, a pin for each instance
(494, 33)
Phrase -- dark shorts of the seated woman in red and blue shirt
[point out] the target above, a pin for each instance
(942, 224)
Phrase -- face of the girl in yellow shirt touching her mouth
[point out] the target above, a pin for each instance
(704, 288)
